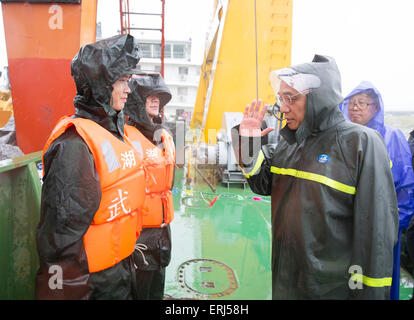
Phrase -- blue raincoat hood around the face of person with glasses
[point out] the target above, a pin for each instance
(377, 121)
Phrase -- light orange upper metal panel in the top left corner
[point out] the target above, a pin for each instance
(41, 30)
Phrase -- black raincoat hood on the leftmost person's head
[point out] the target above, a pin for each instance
(95, 68)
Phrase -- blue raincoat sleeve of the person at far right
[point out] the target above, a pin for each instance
(403, 175)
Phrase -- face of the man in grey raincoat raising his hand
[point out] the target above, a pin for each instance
(293, 105)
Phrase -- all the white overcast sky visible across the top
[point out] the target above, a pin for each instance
(370, 39)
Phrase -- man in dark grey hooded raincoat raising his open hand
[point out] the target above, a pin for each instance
(333, 203)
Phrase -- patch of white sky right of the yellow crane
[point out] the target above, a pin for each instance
(370, 40)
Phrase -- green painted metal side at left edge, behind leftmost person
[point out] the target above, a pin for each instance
(20, 192)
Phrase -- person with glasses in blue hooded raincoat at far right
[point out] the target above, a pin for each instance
(364, 106)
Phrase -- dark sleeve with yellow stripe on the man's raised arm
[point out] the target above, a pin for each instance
(253, 156)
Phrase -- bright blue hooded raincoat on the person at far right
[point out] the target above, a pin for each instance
(398, 151)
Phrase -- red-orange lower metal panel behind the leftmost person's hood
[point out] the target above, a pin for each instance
(43, 91)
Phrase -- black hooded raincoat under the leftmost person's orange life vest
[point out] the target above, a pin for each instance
(71, 191)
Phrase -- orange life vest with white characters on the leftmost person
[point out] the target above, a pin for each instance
(116, 224)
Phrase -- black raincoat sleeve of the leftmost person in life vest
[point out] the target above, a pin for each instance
(70, 197)
